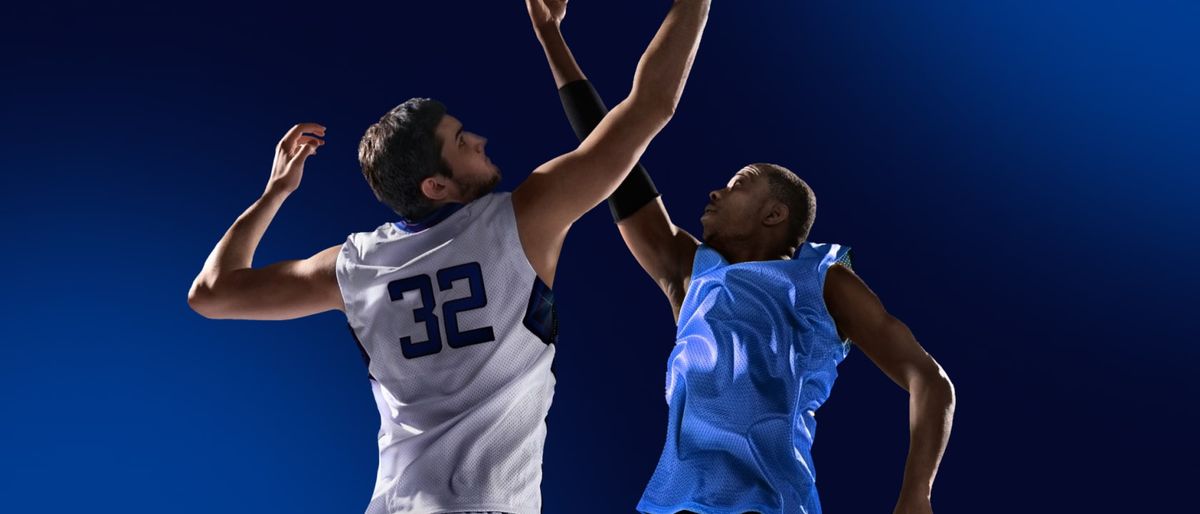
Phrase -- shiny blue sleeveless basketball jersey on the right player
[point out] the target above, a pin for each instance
(757, 354)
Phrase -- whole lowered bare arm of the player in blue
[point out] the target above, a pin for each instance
(889, 343)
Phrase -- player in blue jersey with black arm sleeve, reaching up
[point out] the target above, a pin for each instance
(764, 320)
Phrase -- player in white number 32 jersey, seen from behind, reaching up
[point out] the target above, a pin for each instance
(452, 304)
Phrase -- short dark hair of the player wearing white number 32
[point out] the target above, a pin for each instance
(400, 152)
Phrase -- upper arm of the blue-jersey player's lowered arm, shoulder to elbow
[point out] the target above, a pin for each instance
(883, 338)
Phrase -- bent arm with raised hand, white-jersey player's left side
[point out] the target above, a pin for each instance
(227, 286)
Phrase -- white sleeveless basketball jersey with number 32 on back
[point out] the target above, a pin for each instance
(458, 331)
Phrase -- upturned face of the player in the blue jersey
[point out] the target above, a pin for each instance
(742, 211)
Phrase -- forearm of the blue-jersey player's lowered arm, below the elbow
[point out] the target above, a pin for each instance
(931, 417)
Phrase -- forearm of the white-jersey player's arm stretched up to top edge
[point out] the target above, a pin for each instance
(664, 68)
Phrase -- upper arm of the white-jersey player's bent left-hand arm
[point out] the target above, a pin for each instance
(285, 290)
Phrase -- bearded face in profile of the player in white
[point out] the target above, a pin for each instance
(473, 175)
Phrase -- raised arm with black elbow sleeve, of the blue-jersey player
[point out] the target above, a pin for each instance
(664, 250)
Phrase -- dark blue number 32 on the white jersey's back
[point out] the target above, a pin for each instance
(478, 298)
